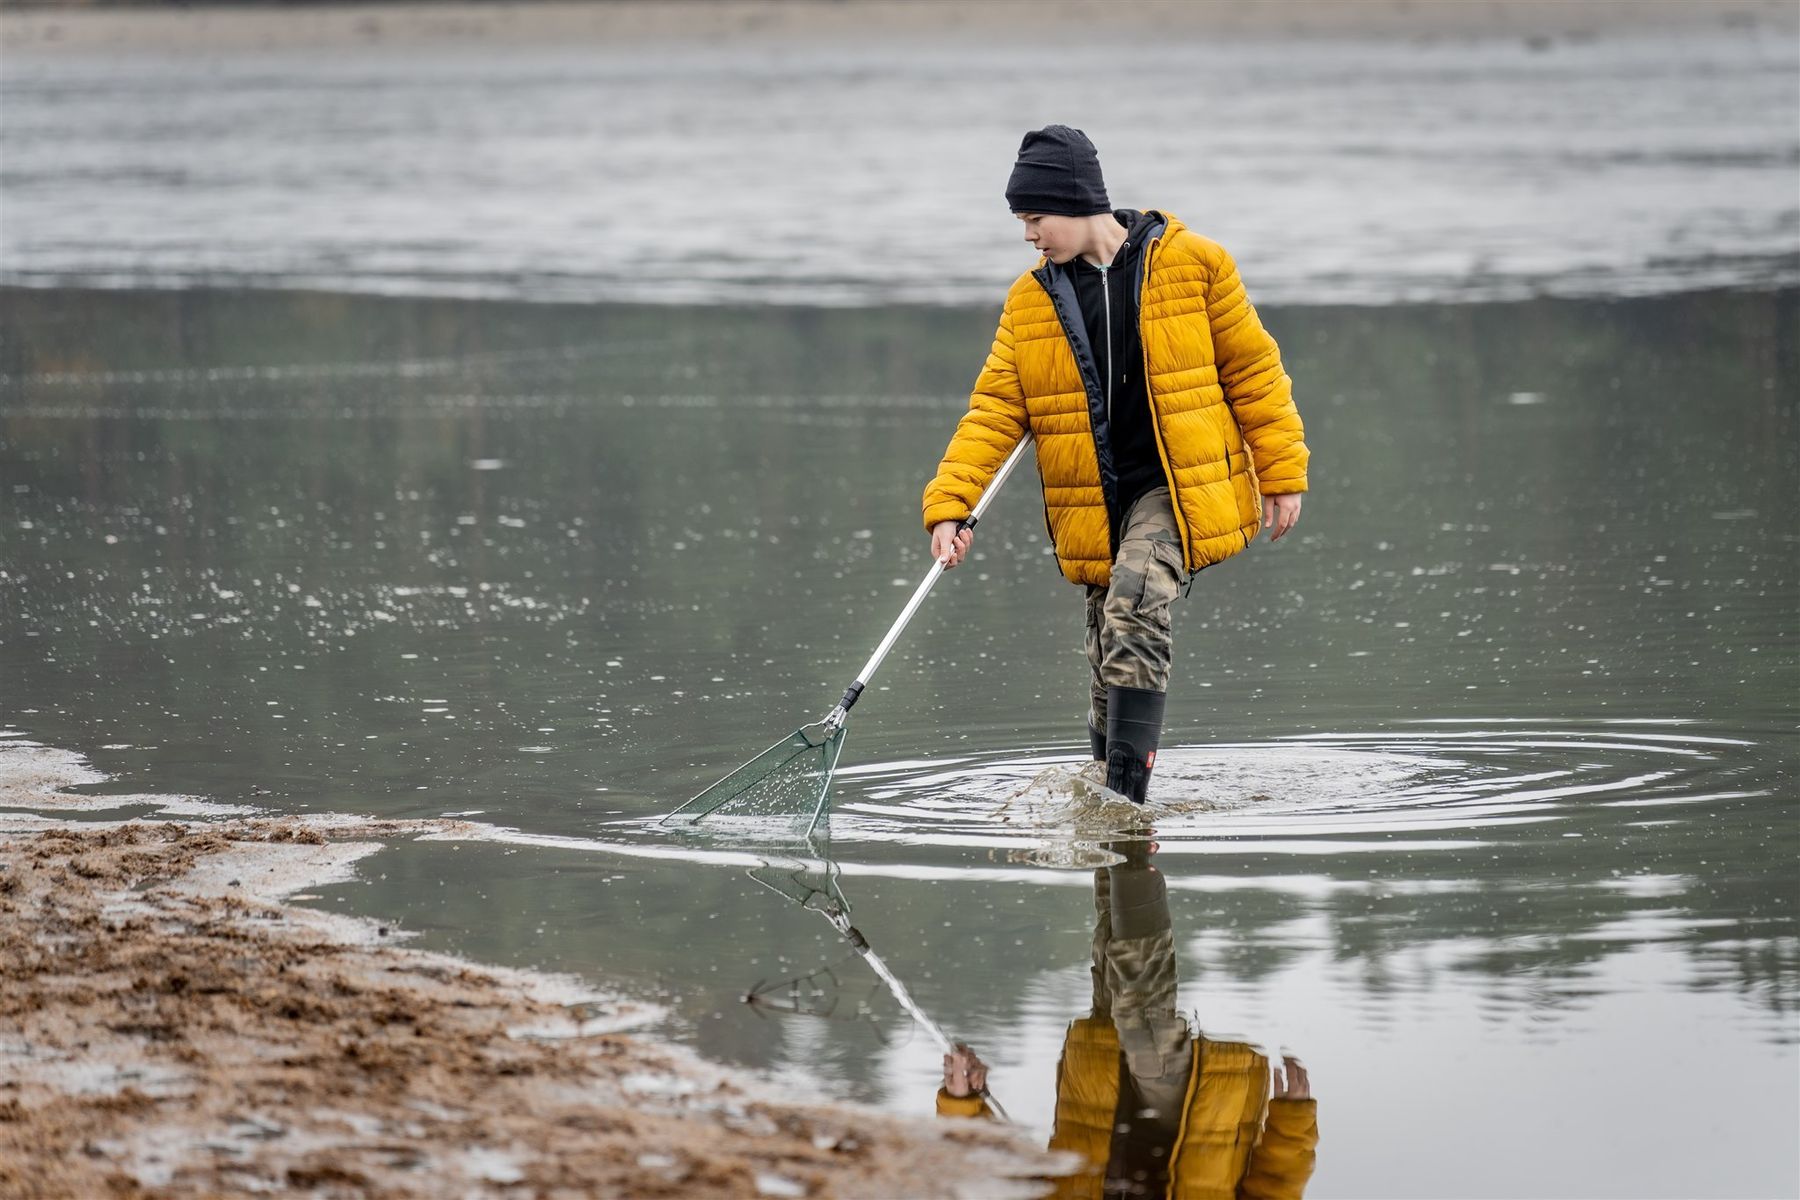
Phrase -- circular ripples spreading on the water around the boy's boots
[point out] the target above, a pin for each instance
(1333, 793)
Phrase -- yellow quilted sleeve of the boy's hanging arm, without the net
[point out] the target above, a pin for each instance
(1255, 384)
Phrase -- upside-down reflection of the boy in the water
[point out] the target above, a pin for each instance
(1156, 1111)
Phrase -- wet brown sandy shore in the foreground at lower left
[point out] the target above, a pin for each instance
(172, 1028)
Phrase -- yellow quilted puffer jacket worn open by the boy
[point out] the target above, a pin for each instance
(1221, 406)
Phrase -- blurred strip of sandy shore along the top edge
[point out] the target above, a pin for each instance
(613, 22)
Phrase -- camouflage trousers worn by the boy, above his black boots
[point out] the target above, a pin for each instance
(1128, 622)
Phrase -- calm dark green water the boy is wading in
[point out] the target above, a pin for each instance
(1479, 791)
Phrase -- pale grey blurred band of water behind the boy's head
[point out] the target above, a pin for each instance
(1336, 170)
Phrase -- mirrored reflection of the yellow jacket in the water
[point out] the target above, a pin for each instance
(1234, 1145)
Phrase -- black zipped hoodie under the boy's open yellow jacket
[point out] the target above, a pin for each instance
(1120, 352)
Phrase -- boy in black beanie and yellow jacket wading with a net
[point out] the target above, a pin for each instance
(1165, 425)
